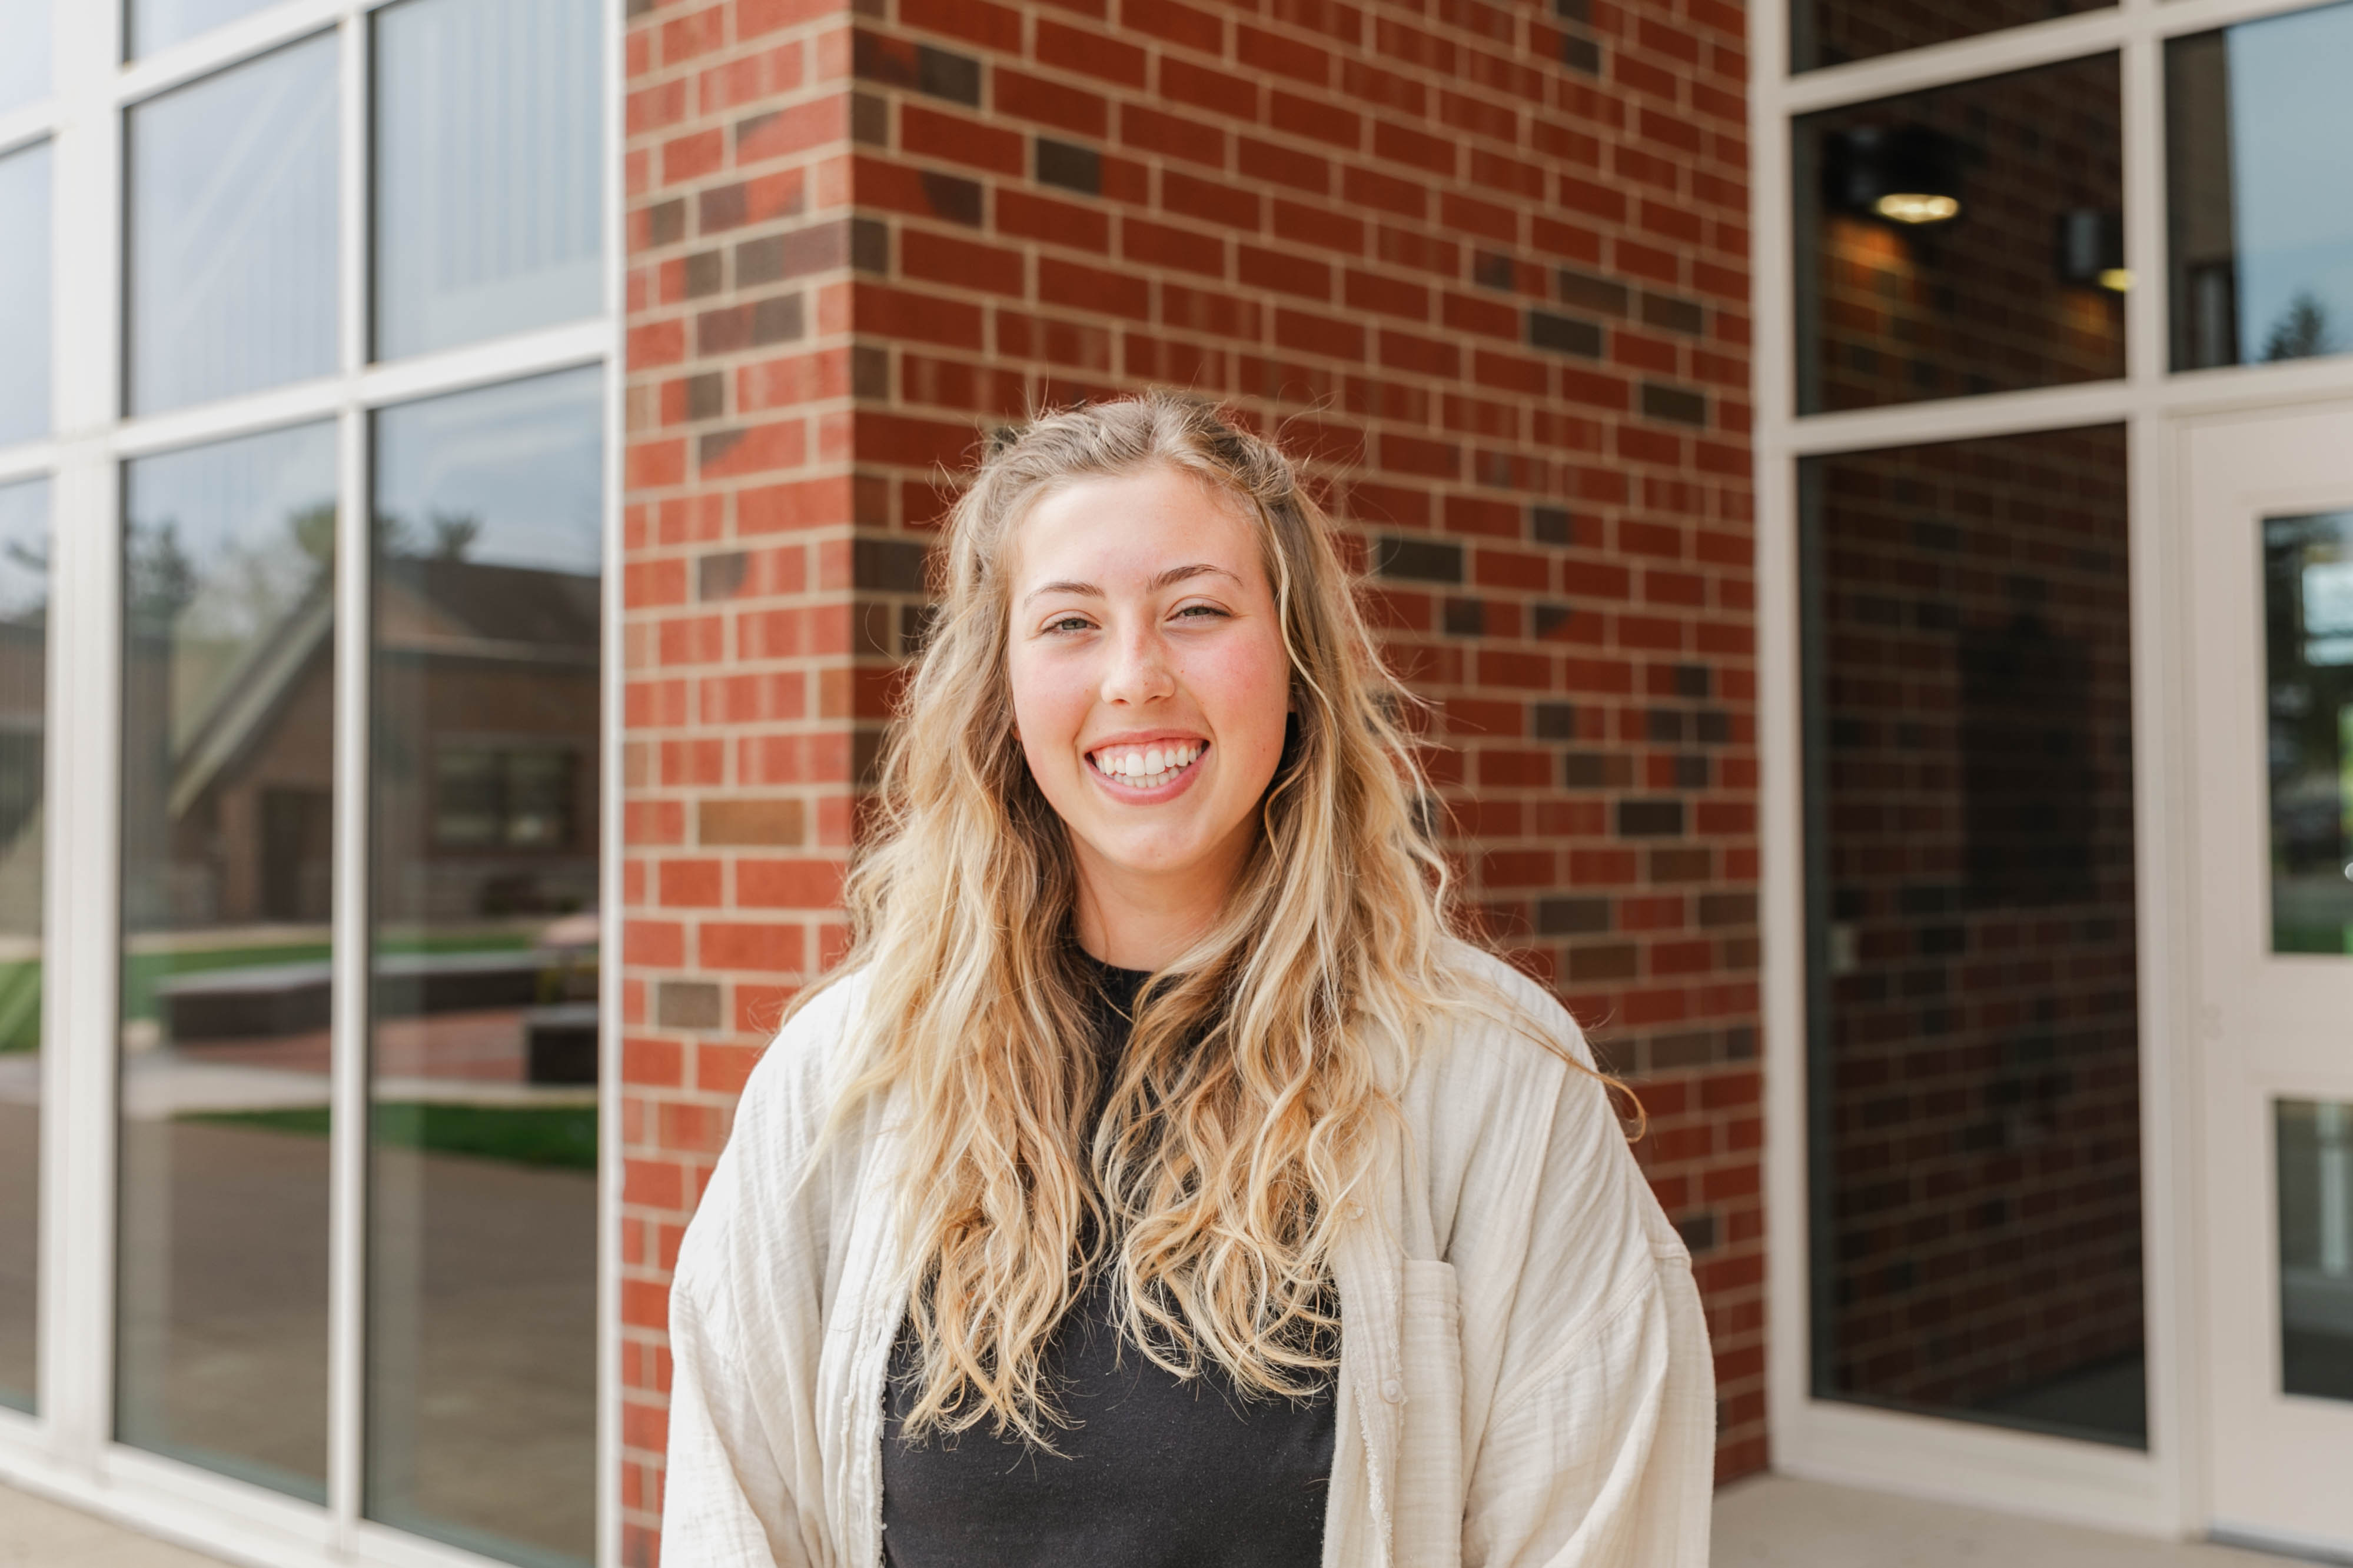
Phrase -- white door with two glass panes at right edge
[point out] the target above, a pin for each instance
(2269, 523)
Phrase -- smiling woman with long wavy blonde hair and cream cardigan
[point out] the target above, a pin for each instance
(1164, 1179)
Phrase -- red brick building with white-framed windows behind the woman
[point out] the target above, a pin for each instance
(1865, 488)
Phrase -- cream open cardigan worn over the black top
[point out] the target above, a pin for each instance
(1524, 1360)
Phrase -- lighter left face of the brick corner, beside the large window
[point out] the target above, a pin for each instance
(740, 631)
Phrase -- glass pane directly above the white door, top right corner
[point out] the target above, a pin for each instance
(2262, 201)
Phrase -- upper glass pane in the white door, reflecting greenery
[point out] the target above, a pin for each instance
(2309, 674)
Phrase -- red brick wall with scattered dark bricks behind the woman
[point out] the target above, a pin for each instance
(1486, 264)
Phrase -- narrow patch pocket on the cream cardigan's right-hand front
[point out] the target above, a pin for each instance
(1429, 1383)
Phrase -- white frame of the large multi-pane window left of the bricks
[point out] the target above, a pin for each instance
(67, 1449)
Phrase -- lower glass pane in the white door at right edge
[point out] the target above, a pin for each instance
(2317, 1247)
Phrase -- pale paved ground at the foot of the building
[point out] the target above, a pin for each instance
(1759, 1525)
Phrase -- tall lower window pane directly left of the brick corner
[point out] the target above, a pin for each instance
(481, 1346)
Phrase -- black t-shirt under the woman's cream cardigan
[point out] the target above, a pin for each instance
(1154, 1473)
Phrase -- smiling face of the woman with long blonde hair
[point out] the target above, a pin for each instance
(1149, 683)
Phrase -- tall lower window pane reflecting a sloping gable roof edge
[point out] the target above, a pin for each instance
(227, 873)
